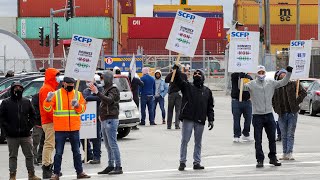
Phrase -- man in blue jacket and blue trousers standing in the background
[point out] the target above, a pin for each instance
(147, 96)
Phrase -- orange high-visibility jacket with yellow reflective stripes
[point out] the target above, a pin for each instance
(65, 117)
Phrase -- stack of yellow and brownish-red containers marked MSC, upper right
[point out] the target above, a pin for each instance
(282, 20)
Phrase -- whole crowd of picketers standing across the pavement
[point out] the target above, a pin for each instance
(53, 115)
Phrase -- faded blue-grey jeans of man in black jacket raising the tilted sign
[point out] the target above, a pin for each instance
(187, 127)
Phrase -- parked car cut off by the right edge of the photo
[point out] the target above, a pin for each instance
(311, 102)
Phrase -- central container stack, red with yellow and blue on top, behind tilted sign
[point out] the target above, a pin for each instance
(152, 33)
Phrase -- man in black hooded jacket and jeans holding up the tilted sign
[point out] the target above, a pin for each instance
(197, 105)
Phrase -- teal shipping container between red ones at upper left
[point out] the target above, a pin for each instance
(98, 27)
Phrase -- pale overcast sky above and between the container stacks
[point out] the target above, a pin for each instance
(8, 8)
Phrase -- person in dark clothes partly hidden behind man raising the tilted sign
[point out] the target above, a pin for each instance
(174, 100)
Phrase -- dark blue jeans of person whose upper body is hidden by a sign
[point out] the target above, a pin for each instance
(239, 108)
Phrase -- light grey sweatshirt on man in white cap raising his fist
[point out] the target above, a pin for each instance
(261, 93)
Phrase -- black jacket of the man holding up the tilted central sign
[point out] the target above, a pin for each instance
(197, 102)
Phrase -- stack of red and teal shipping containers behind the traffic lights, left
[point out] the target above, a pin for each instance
(94, 18)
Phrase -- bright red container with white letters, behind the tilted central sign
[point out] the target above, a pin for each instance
(159, 28)
